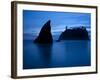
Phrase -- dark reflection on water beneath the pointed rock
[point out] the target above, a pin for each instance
(45, 53)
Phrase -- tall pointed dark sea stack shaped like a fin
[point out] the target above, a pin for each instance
(45, 35)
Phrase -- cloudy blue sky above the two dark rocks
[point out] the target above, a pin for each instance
(34, 20)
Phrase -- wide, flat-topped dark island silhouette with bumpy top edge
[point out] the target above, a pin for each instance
(74, 34)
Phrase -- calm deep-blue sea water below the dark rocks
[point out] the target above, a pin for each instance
(59, 54)
